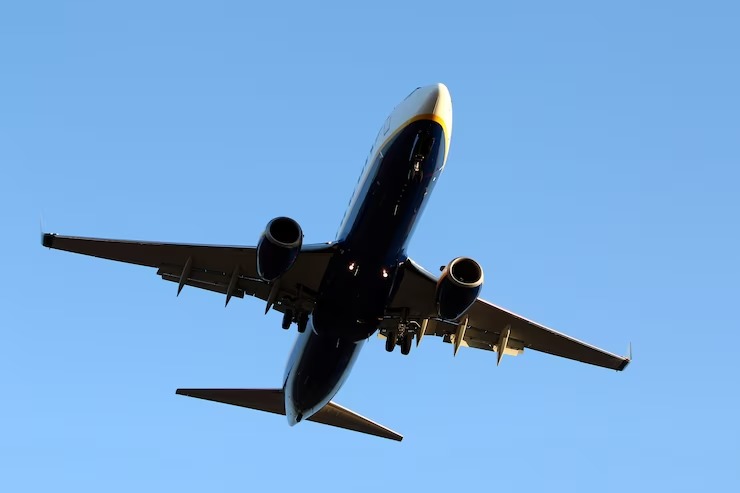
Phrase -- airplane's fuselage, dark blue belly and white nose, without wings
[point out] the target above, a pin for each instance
(404, 163)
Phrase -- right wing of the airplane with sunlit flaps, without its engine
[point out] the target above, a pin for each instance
(489, 326)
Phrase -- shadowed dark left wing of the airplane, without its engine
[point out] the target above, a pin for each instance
(229, 270)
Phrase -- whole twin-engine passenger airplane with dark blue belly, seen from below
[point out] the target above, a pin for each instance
(340, 293)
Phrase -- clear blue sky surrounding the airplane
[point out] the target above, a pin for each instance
(593, 173)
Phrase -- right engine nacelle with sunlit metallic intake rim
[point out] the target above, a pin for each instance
(458, 287)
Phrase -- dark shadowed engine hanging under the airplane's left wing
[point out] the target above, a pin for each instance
(278, 248)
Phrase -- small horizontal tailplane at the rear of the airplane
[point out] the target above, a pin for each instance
(273, 401)
